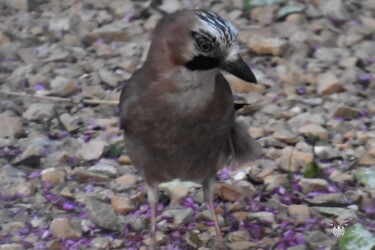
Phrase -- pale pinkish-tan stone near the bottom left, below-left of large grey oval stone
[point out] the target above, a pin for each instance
(63, 228)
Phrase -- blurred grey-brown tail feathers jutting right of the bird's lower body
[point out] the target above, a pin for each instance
(242, 147)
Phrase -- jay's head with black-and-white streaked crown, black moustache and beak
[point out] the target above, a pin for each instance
(200, 40)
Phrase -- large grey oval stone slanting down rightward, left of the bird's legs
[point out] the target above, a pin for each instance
(102, 214)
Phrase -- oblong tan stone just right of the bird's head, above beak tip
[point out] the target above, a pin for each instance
(267, 45)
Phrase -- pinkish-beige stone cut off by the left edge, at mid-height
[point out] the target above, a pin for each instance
(10, 127)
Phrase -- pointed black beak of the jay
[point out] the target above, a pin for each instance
(240, 69)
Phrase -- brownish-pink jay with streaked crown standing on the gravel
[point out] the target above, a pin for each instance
(177, 110)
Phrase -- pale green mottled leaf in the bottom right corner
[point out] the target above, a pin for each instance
(357, 237)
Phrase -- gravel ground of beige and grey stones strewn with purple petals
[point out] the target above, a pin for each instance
(66, 182)
